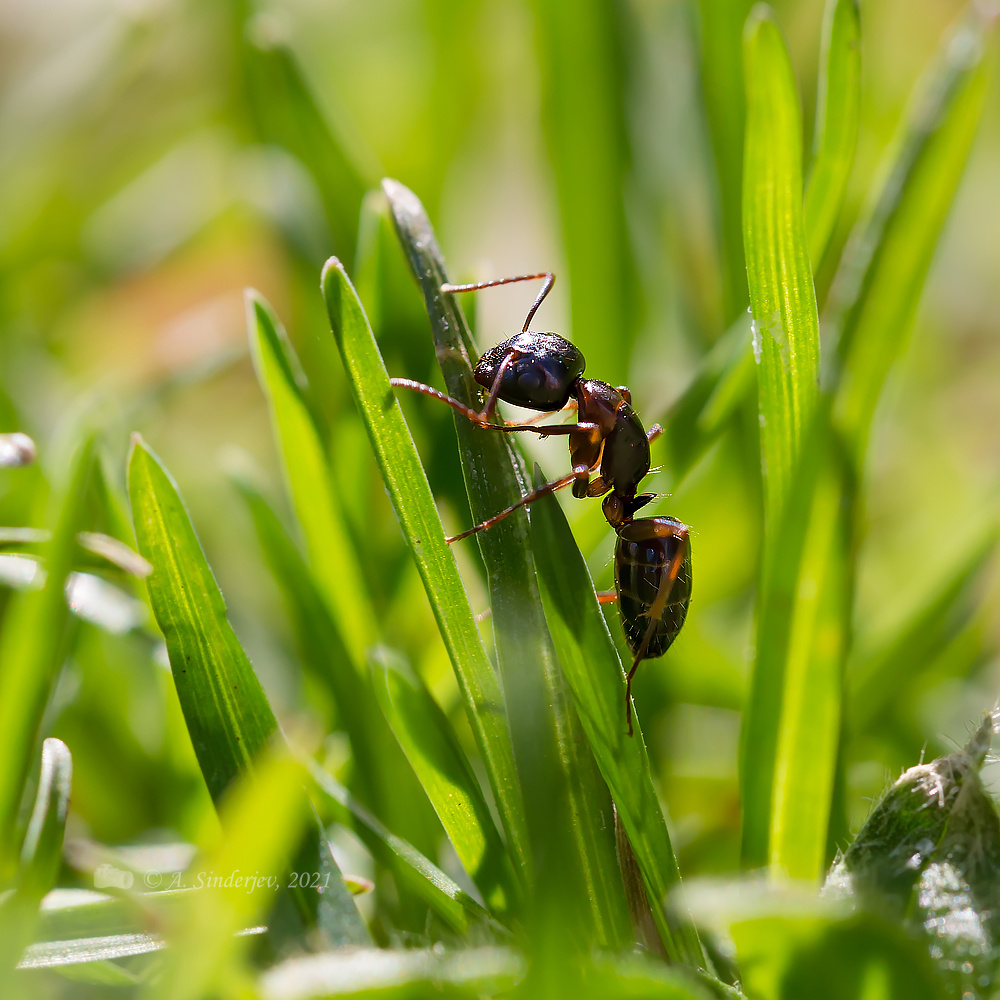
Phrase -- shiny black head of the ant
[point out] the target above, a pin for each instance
(540, 374)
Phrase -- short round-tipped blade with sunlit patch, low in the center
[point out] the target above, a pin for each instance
(433, 751)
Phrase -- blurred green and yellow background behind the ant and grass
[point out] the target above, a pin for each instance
(158, 157)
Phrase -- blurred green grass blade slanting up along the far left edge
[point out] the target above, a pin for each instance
(31, 648)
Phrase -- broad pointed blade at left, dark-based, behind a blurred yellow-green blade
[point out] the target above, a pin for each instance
(226, 710)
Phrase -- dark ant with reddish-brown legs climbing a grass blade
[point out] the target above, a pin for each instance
(543, 371)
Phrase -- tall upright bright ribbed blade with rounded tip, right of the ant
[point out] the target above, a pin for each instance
(782, 297)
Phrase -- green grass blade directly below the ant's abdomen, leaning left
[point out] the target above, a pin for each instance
(594, 674)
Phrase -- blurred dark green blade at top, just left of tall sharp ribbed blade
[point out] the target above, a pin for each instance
(722, 84)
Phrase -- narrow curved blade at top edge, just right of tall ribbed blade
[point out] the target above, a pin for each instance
(838, 106)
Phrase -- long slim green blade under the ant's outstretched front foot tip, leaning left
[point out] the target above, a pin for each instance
(413, 503)
